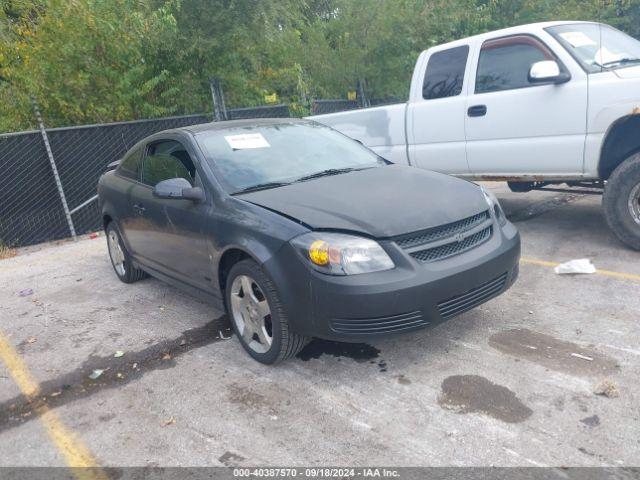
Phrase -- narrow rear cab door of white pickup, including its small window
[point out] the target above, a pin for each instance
(435, 114)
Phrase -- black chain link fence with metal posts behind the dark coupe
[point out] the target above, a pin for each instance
(31, 201)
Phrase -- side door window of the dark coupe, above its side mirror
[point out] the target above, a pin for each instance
(167, 159)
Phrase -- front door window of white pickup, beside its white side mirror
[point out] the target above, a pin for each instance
(504, 63)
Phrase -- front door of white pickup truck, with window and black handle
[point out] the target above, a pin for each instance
(515, 127)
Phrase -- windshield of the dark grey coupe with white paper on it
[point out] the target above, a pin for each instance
(267, 156)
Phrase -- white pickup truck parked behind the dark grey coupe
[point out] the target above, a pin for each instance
(535, 105)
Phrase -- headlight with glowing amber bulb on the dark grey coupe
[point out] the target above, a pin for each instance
(340, 254)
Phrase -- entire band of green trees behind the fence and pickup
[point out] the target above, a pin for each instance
(89, 61)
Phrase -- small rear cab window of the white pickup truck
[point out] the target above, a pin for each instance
(445, 73)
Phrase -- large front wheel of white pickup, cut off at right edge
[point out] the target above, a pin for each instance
(621, 201)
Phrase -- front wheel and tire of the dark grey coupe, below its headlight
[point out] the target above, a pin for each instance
(258, 316)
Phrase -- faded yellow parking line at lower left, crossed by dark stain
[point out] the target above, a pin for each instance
(75, 453)
